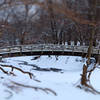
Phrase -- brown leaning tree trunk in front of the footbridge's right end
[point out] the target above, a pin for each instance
(92, 34)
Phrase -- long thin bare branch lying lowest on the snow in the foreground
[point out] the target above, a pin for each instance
(46, 90)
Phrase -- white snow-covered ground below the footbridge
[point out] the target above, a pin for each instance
(62, 82)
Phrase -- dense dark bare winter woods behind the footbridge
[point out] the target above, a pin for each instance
(23, 23)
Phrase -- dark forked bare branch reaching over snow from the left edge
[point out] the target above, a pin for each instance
(12, 68)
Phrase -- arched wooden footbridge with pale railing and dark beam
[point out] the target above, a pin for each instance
(46, 49)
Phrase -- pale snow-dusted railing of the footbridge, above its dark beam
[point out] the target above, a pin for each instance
(47, 48)
